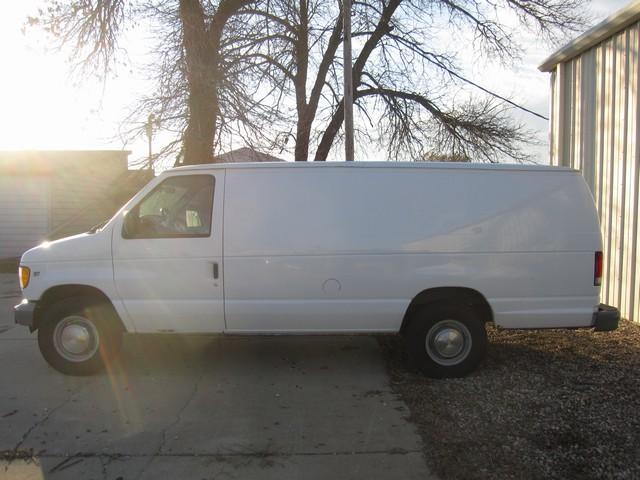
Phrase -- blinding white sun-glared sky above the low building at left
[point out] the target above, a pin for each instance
(43, 106)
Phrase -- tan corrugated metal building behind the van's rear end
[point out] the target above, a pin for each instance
(595, 127)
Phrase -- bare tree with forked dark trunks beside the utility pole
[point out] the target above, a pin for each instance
(401, 79)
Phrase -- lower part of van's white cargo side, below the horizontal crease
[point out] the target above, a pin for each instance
(345, 284)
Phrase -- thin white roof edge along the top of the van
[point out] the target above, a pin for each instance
(391, 165)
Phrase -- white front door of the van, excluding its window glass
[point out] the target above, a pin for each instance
(168, 284)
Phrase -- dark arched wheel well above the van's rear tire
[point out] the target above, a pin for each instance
(467, 296)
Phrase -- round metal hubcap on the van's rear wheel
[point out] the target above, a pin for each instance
(448, 342)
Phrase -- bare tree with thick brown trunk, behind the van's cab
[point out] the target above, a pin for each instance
(192, 74)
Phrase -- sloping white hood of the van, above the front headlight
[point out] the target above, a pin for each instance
(85, 246)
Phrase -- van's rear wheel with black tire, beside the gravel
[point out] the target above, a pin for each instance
(445, 340)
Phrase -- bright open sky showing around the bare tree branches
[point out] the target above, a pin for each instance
(46, 107)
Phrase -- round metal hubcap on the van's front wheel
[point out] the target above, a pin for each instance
(75, 338)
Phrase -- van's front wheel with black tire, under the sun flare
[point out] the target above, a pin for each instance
(88, 327)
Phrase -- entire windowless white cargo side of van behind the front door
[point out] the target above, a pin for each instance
(341, 250)
